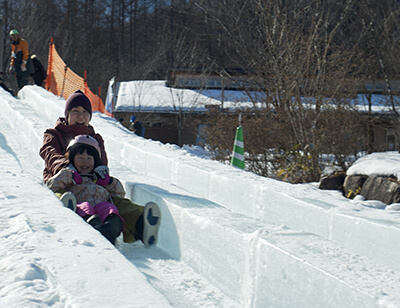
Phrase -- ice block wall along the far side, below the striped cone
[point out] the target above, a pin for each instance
(257, 197)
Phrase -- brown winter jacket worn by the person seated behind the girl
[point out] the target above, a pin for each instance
(55, 144)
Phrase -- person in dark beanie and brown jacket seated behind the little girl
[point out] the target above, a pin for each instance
(78, 113)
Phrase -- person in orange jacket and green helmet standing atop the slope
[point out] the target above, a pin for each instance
(20, 64)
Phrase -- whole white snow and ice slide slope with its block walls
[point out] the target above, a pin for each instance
(228, 238)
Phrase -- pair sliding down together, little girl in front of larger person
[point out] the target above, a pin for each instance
(96, 195)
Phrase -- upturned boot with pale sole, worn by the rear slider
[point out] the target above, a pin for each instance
(151, 224)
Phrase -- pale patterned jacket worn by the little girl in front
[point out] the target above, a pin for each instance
(88, 190)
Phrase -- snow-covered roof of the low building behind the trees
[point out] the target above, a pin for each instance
(155, 96)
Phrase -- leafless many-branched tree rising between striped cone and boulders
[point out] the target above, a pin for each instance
(302, 63)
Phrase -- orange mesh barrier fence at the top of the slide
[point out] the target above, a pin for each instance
(62, 81)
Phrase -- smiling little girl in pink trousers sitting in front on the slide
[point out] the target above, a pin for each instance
(83, 192)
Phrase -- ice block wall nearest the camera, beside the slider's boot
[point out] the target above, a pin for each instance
(266, 265)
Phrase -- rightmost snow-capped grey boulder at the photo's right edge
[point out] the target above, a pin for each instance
(384, 189)
